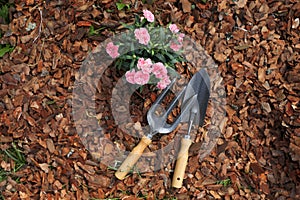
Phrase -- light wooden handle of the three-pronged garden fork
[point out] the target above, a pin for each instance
(132, 158)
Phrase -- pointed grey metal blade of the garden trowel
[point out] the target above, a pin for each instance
(199, 85)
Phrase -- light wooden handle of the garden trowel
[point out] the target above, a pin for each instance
(181, 163)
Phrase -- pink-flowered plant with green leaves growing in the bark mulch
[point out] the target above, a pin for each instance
(151, 51)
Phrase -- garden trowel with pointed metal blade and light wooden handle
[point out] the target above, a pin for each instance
(194, 104)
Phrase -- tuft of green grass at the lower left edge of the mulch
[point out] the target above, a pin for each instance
(15, 155)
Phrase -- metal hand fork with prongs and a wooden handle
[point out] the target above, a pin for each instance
(158, 124)
